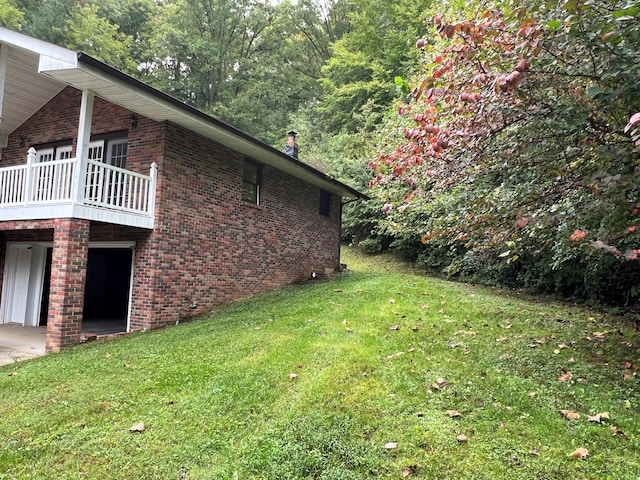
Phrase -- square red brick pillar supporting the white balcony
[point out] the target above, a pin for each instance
(68, 274)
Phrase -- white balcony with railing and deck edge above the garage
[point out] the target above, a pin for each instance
(53, 189)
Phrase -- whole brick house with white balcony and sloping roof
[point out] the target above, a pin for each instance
(119, 203)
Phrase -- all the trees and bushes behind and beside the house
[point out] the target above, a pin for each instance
(498, 141)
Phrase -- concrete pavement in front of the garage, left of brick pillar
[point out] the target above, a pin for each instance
(21, 343)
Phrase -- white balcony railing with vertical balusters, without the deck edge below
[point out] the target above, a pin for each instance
(52, 182)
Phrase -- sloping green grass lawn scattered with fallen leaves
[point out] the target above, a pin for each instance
(379, 374)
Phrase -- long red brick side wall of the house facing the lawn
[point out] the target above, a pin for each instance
(217, 248)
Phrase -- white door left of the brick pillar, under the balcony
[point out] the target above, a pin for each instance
(22, 284)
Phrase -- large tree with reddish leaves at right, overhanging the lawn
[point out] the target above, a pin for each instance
(512, 158)
